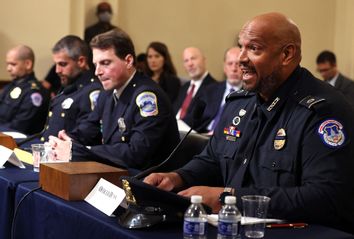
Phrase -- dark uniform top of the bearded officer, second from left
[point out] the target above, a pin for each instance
(72, 105)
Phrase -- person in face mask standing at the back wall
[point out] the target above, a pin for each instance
(104, 15)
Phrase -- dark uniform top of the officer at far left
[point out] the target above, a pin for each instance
(23, 105)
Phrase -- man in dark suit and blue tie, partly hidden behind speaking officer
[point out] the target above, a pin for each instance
(215, 95)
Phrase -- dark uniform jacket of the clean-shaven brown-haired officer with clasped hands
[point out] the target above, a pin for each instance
(138, 130)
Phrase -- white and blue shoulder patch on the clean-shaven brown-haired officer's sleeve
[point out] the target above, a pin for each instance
(147, 103)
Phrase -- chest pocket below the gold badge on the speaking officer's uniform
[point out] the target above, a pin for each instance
(278, 168)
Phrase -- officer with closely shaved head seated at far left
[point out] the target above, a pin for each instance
(23, 102)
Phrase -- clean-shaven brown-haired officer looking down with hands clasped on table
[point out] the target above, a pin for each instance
(133, 114)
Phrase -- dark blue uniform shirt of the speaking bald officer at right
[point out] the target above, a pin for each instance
(297, 148)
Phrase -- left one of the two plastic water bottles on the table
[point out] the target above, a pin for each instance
(195, 219)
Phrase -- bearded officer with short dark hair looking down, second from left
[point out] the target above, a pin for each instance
(80, 89)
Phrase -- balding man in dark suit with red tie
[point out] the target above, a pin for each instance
(195, 64)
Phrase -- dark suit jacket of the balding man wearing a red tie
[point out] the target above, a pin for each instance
(182, 94)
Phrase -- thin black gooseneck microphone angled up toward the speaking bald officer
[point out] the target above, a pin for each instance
(197, 115)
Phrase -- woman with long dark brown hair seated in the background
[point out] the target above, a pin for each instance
(161, 69)
